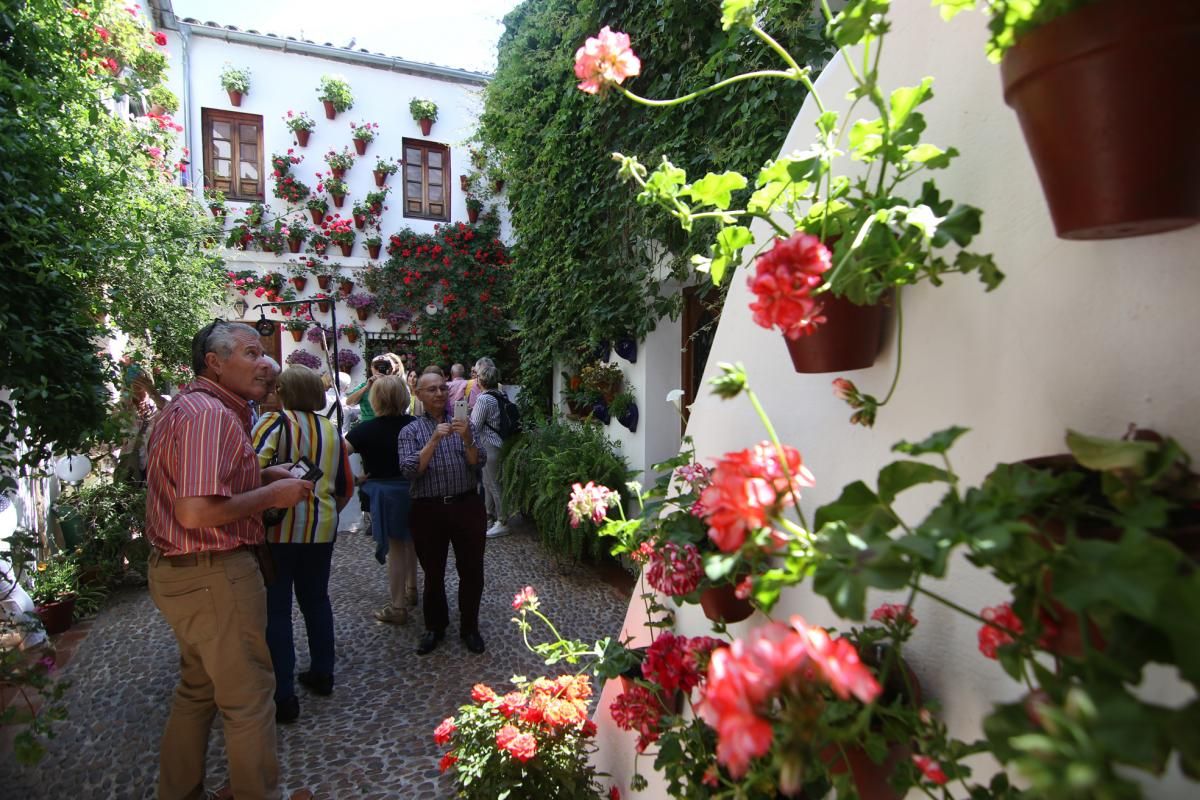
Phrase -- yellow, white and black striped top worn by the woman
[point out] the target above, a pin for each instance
(314, 521)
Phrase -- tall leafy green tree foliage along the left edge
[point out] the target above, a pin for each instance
(91, 225)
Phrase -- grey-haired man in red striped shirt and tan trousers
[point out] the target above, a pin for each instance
(205, 500)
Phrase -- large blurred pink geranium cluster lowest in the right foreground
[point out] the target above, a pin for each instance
(777, 659)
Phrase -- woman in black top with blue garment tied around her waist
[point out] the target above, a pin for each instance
(387, 492)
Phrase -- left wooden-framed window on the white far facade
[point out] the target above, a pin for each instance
(233, 154)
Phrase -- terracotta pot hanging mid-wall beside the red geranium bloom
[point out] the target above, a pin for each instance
(850, 339)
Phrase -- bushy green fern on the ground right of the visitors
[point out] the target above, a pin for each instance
(542, 465)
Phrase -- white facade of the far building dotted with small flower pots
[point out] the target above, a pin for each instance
(284, 81)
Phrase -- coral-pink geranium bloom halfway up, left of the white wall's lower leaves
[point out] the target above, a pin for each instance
(747, 490)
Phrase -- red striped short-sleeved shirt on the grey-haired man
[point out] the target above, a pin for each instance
(200, 447)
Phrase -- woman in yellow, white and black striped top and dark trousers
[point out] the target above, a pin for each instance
(303, 544)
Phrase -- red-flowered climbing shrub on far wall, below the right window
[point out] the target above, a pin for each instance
(465, 273)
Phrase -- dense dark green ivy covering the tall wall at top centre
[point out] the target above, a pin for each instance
(579, 239)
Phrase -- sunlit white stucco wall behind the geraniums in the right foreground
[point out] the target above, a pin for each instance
(1084, 335)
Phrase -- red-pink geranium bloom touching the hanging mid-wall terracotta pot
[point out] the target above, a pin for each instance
(783, 284)
